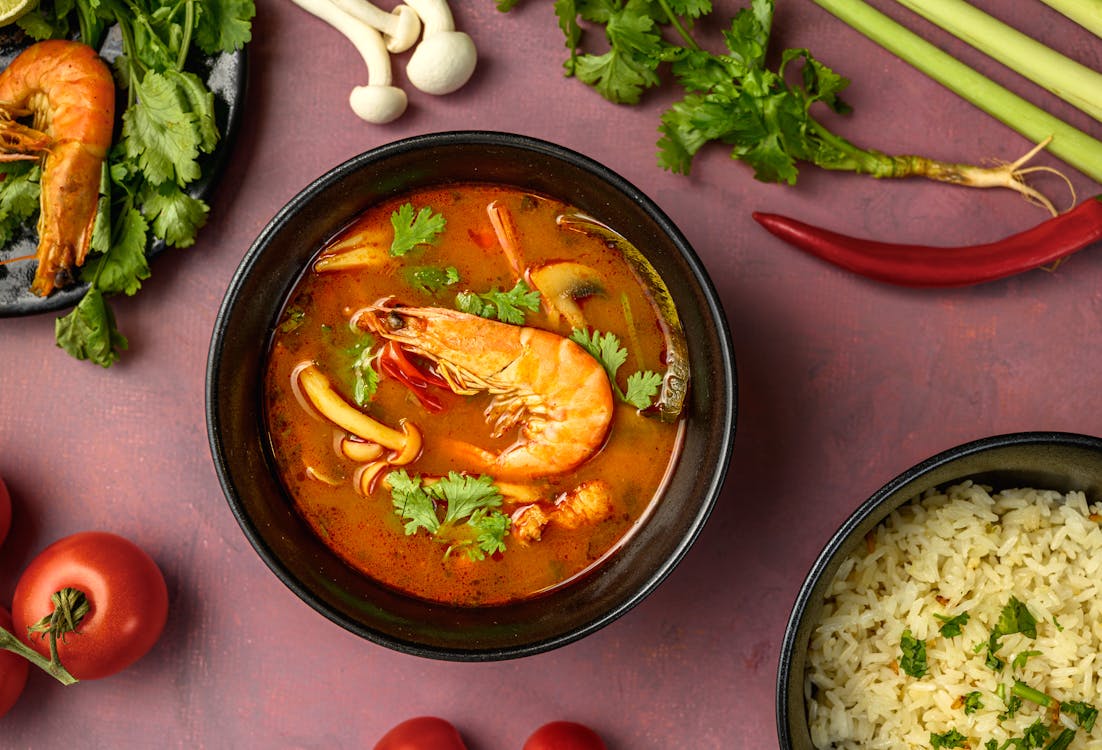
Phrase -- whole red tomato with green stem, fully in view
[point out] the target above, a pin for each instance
(129, 602)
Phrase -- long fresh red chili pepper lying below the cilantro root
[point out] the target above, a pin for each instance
(922, 266)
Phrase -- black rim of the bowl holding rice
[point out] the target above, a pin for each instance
(870, 507)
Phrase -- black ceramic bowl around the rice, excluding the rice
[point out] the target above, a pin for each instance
(1050, 461)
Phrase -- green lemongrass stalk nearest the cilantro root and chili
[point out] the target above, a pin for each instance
(1073, 146)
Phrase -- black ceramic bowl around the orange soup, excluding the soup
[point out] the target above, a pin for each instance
(267, 515)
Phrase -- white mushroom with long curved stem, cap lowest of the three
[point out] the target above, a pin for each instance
(379, 102)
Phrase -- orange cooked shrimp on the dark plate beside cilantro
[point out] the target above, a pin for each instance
(70, 92)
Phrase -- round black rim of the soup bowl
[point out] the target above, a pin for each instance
(715, 312)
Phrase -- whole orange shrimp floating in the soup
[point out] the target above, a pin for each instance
(552, 388)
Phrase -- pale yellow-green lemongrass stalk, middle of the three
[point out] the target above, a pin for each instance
(1073, 82)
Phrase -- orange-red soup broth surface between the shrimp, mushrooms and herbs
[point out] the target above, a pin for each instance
(366, 531)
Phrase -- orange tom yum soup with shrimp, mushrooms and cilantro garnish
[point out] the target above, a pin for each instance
(474, 395)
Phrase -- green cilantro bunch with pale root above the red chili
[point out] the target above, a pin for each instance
(733, 96)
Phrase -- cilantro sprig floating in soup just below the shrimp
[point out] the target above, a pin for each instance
(458, 510)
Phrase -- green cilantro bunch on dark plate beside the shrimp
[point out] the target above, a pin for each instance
(168, 124)
